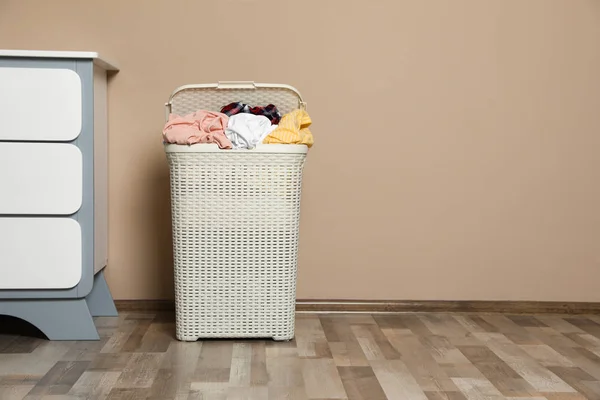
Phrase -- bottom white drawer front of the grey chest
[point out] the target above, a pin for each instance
(40, 253)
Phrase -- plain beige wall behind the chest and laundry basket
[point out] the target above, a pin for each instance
(457, 146)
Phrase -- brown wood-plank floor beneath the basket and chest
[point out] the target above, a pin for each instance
(334, 356)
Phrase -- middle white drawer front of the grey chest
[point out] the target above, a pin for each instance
(40, 178)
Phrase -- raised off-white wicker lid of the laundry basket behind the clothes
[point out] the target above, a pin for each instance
(213, 96)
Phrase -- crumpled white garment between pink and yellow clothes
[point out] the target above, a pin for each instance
(247, 130)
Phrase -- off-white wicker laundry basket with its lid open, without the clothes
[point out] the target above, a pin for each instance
(235, 223)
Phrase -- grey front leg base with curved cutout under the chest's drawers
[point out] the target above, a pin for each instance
(57, 319)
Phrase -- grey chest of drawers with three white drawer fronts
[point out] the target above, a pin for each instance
(53, 190)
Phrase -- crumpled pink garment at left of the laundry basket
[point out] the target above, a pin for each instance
(199, 127)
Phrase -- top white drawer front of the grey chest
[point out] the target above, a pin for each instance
(40, 104)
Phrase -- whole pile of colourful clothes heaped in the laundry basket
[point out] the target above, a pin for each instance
(240, 126)
